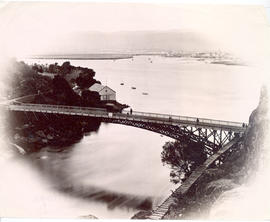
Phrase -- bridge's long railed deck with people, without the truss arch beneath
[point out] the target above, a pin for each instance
(167, 119)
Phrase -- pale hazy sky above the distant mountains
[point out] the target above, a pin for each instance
(37, 27)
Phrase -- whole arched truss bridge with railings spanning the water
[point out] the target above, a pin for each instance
(213, 133)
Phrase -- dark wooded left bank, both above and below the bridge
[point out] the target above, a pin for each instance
(32, 131)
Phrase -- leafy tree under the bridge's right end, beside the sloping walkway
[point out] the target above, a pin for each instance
(183, 157)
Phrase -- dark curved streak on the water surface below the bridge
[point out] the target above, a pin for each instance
(51, 164)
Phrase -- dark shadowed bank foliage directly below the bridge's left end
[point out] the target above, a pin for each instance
(34, 131)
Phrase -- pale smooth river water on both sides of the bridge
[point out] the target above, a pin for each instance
(124, 160)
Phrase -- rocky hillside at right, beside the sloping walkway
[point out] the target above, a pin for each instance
(238, 168)
